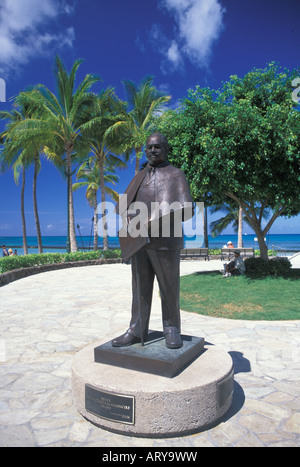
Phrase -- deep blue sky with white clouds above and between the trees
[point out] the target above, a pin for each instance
(181, 43)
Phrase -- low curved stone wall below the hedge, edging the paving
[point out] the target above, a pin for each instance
(17, 274)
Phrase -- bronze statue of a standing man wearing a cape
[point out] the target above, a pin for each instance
(164, 192)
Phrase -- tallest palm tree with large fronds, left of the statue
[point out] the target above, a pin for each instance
(59, 124)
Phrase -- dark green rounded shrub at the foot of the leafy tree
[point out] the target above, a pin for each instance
(258, 267)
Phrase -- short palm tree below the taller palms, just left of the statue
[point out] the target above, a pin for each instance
(92, 182)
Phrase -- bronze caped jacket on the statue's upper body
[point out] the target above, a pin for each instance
(166, 186)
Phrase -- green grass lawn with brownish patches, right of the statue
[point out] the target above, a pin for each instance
(239, 297)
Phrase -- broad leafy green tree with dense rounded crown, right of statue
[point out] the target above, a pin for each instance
(242, 142)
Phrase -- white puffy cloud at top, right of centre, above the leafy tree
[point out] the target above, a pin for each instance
(199, 24)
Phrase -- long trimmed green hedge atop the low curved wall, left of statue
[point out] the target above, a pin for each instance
(10, 263)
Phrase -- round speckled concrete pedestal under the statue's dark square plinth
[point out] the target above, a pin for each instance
(140, 404)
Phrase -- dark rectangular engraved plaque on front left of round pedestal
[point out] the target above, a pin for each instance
(114, 407)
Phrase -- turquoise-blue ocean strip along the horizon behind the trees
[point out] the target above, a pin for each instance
(53, 244)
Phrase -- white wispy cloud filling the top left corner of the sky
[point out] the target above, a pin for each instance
(28, 28)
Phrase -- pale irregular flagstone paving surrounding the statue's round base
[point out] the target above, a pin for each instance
(47, 318)
